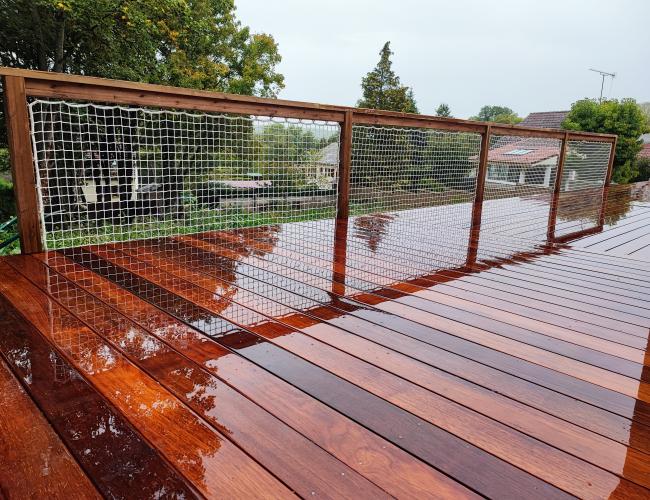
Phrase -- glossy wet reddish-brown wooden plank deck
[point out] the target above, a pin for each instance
(237, 364)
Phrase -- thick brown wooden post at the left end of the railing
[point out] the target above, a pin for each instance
(22, 165)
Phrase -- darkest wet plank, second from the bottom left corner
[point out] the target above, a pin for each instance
(113, 455)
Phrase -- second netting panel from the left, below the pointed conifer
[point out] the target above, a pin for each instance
(411, 188)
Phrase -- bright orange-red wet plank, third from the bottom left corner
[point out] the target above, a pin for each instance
(209, 461)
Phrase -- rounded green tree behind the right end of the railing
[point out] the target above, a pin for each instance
(623, 118)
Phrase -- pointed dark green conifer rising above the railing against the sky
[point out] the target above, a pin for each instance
(382, 88)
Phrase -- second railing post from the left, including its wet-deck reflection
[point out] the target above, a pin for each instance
(342, 206)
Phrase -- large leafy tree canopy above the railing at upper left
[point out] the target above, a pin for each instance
(198, 43)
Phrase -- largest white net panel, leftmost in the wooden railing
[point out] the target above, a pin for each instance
(114, 173)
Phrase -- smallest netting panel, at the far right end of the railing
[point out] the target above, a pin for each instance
(581, 195)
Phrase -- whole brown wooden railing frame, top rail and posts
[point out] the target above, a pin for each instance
(20, 85)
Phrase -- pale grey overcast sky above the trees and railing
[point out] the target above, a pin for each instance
(530, 55)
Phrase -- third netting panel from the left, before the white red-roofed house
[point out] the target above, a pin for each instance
(518, 193)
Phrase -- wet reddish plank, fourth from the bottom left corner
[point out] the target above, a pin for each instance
(308, 470)
